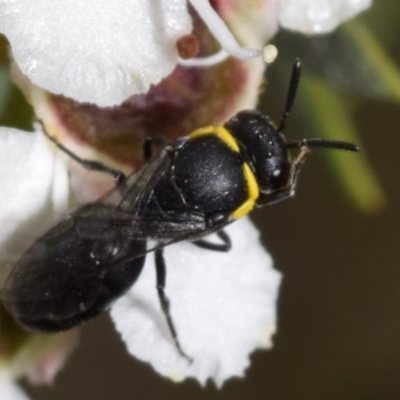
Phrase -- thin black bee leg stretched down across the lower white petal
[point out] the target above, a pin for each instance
(161, 274)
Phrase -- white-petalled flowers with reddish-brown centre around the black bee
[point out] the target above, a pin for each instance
(104, 52)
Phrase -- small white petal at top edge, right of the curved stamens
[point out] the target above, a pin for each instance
(319, 16)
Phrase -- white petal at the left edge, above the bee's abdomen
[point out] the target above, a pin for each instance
(29, 194)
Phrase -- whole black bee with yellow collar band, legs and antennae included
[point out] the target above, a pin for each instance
(191, 188)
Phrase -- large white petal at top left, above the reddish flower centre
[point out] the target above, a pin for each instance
(97, 51)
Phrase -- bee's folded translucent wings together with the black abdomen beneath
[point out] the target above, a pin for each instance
(94, 255)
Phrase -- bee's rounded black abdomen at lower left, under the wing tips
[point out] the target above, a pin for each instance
(74, 271)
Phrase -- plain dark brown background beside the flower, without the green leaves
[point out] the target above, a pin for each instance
(339, 306)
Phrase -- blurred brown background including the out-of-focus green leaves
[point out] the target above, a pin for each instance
(337, 243)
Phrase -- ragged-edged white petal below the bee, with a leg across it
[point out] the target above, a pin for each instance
(223, 306)
